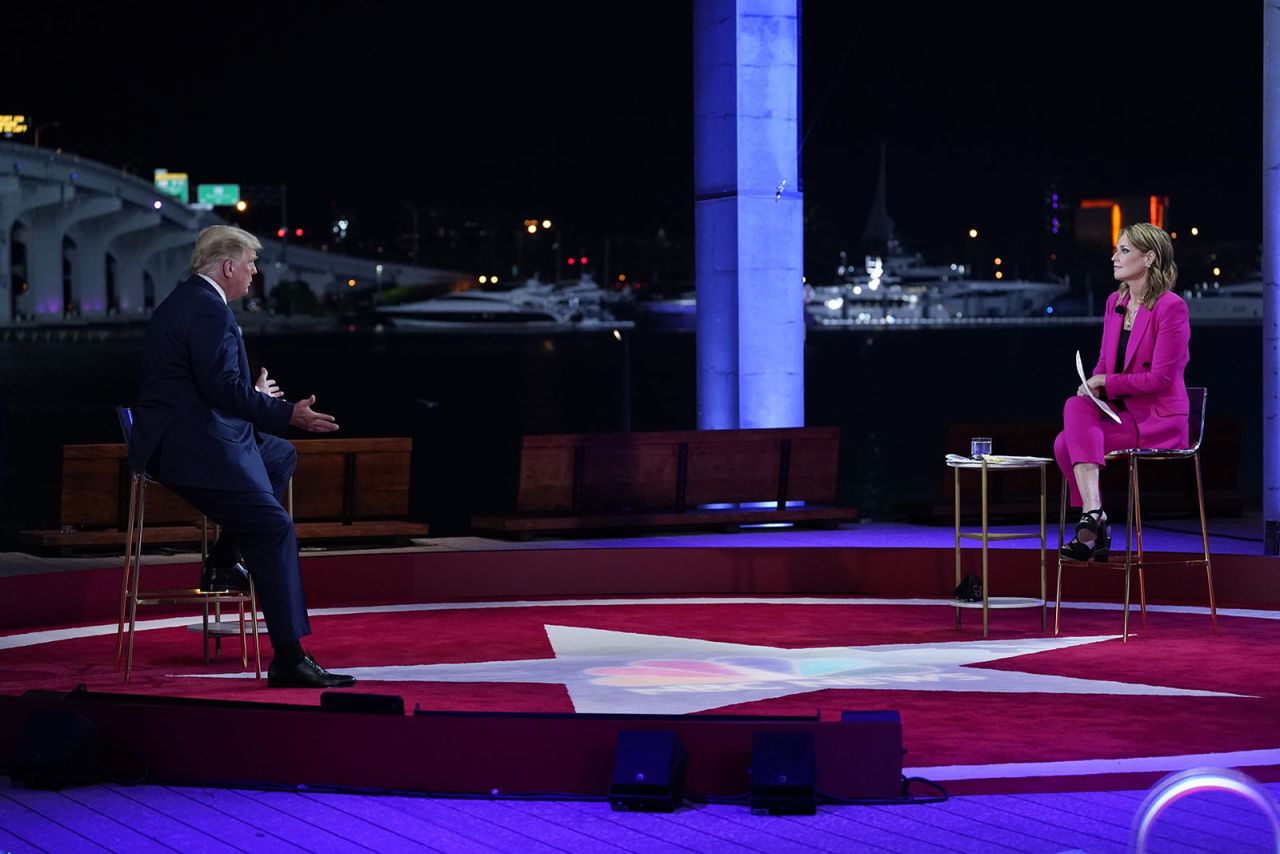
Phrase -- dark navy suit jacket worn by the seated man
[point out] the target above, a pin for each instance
(198, 417)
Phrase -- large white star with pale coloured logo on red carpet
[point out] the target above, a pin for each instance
(637, 674)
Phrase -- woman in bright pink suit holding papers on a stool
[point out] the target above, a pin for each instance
(1140, 371)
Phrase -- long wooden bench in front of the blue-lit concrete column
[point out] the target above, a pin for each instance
(678, 479)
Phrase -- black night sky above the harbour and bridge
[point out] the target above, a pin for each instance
(490, 113)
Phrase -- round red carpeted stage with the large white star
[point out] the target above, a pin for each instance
(749, 632)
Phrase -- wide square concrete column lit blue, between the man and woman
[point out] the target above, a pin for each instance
(748, 213)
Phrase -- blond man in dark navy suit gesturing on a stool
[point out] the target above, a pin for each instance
(204, 430)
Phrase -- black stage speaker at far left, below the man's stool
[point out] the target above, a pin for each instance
(58, 748)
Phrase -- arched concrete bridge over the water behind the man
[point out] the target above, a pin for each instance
(80, 239)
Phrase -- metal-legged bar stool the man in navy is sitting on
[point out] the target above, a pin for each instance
(134, 596)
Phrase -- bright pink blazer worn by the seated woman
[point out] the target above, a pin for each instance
(1151, 382)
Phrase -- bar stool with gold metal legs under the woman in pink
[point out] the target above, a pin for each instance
(1197, 399)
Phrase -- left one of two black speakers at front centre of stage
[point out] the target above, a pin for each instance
(648, 771)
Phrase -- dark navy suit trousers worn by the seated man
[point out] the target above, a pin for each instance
(258, 527)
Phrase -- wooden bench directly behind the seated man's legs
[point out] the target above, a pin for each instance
(342, 490)
